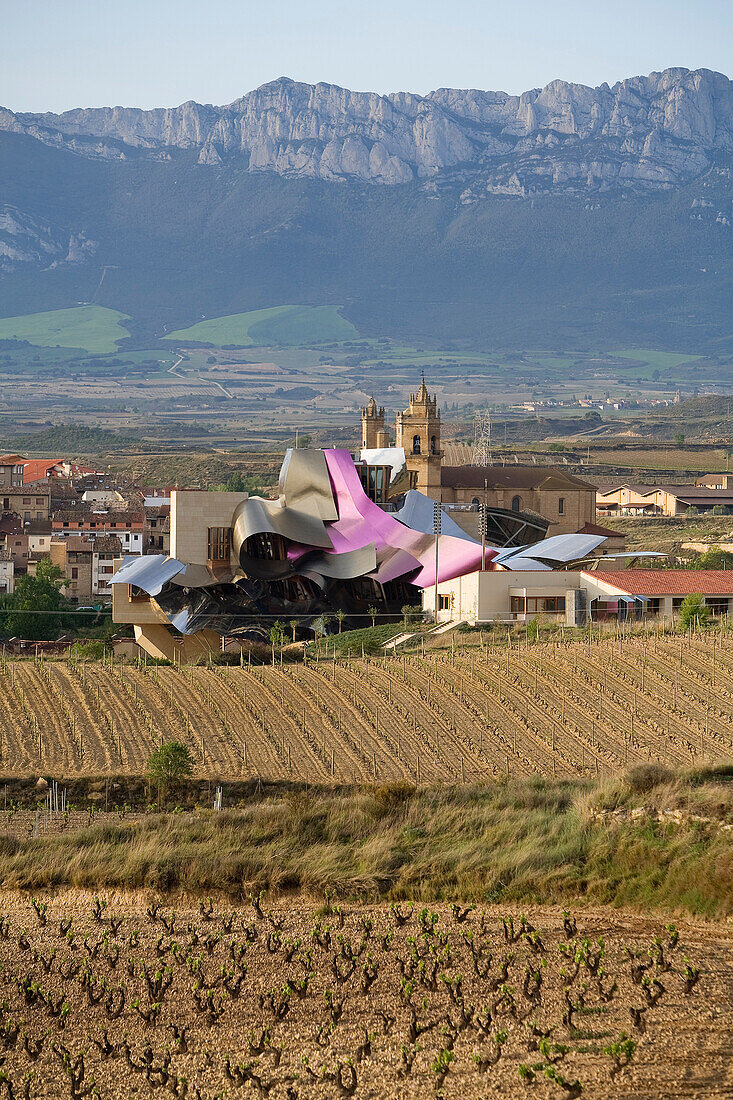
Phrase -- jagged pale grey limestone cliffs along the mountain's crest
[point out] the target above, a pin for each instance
(650, 134)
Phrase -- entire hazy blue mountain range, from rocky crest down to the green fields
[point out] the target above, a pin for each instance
(565, 217)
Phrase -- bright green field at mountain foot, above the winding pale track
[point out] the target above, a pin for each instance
(292, 326)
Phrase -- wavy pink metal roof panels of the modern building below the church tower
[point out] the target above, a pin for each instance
(363, 522)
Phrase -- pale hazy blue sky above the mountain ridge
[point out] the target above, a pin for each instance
(58, 54)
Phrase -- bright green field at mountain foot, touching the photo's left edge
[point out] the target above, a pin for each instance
(93, 328)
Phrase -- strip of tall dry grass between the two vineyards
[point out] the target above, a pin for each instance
(523, 841)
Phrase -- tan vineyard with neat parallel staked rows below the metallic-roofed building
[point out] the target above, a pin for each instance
(476, 714)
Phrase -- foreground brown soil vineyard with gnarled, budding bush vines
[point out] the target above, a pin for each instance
(132, 997)
